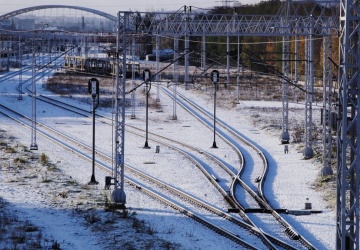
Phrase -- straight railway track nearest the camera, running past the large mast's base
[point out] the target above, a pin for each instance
(73, 145)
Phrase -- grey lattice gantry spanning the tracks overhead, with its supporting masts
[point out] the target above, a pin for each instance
(294, 19)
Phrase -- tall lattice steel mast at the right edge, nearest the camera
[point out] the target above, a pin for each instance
(348, 131)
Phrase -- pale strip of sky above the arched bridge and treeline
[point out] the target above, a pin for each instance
(113, 6)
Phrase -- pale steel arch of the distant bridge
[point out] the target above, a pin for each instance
(40, 7)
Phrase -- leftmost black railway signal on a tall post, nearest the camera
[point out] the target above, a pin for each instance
(93, 87)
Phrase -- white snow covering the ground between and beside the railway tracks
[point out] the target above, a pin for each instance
(290, 182)
